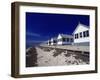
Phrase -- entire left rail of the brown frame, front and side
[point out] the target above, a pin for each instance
(15, 40)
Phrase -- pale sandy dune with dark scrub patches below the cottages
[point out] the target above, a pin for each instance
(53, 56)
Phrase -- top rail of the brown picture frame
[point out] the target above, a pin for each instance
(55, 5)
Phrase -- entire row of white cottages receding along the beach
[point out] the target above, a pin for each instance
(80, 36)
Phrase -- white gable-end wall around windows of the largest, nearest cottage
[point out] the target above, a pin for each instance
(79, 29)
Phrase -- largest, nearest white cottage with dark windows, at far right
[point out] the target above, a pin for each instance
(81, 35)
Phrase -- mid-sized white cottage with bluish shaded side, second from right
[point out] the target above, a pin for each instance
(64, 39)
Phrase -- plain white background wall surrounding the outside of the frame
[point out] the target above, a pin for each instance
(5, 41)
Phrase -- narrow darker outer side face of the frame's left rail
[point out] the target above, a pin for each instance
(12, 40)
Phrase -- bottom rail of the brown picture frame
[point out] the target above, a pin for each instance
(55, 74)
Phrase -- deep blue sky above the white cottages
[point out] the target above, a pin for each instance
(42, 26)
